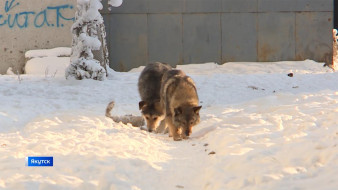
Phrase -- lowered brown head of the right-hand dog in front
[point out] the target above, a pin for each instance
(186, 117)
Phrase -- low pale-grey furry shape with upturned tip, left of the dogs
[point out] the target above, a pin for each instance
(136, 121)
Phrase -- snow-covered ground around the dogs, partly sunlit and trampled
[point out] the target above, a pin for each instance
(260, 129)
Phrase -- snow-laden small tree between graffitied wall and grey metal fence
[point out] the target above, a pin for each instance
(89, 57)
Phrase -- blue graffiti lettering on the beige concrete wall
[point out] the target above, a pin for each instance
(51, 16)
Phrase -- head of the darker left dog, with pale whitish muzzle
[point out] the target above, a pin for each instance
(152, 113)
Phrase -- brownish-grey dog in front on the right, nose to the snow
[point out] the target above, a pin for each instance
(180, 100)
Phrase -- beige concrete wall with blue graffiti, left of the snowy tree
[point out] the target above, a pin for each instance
(33, 24)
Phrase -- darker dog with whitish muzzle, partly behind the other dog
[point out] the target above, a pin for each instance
(149, 86)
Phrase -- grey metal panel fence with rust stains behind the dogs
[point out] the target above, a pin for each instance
(198, 31)
